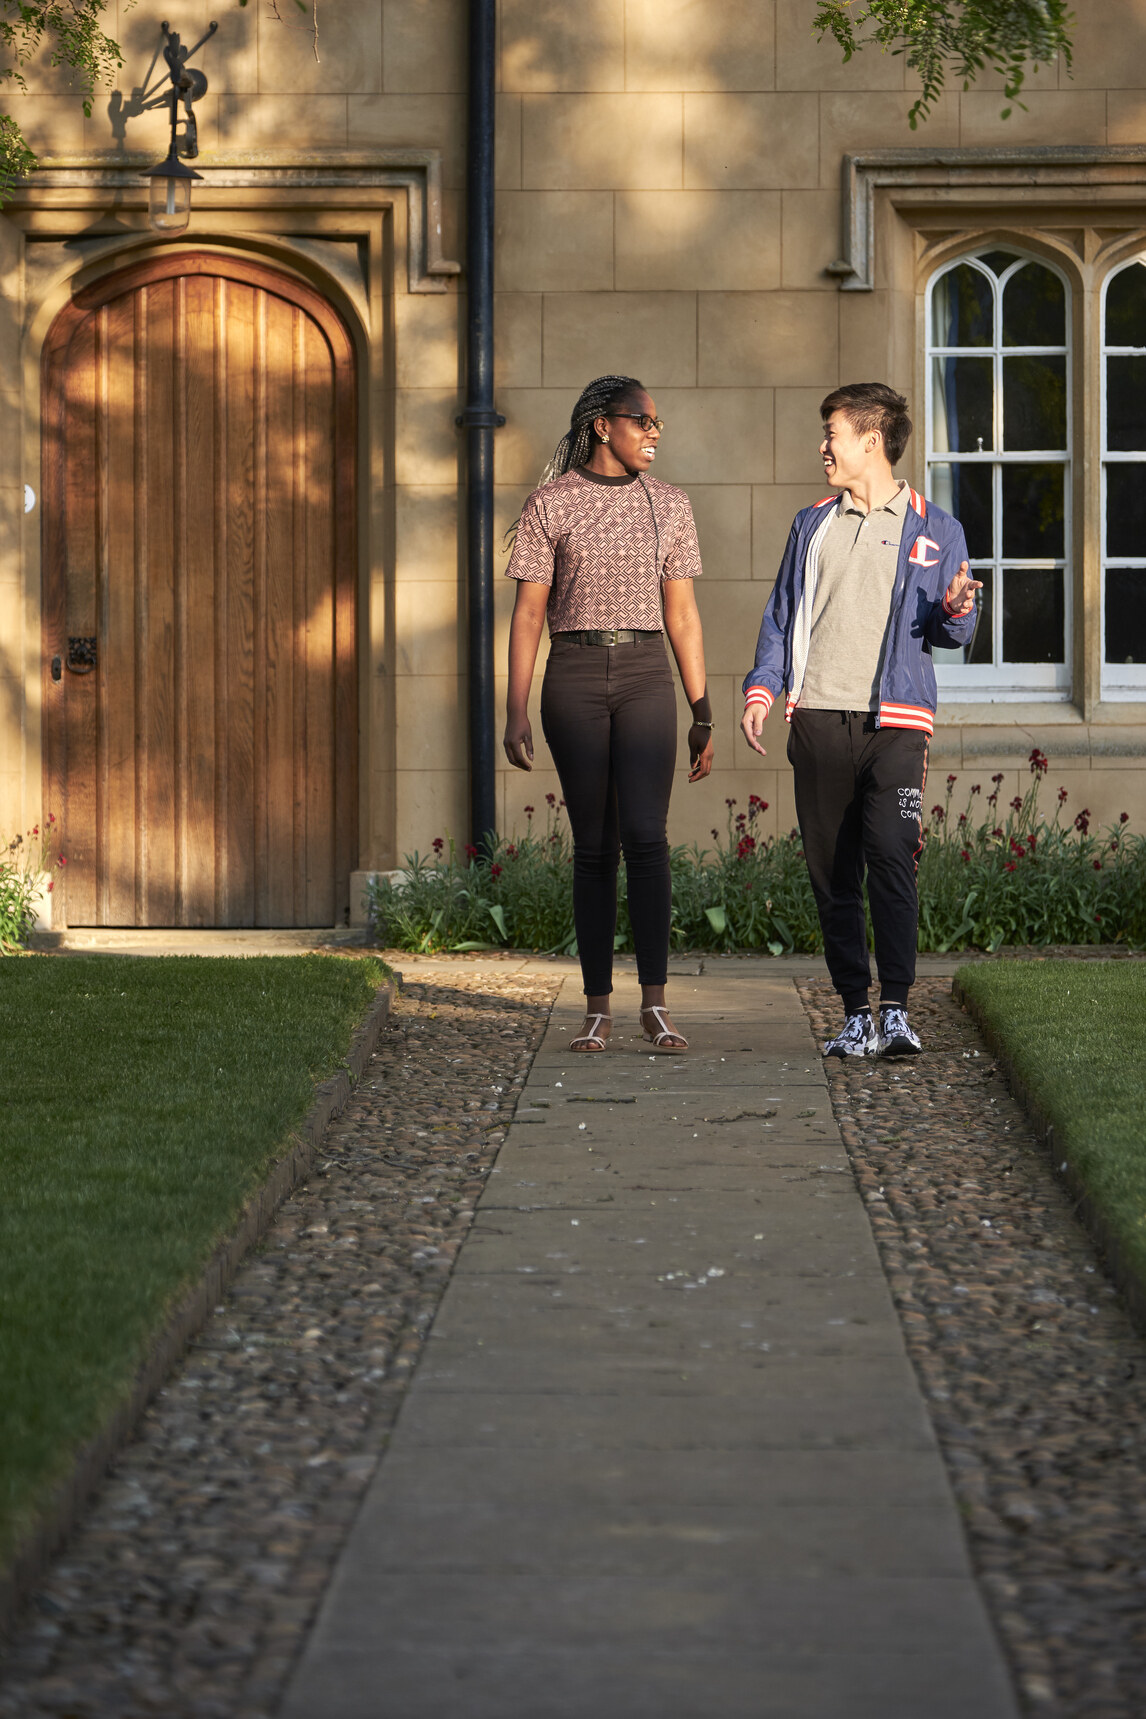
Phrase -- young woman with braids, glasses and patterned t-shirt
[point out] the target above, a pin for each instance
(609, 556)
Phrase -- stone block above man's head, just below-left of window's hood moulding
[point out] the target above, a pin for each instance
(771, 340)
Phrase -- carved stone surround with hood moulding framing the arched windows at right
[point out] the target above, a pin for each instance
(906, 214)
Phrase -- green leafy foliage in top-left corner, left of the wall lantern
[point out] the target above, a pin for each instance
(71, 34)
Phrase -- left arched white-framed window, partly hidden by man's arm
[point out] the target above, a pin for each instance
(999, 460)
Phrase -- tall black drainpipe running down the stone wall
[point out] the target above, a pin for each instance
(480, 419)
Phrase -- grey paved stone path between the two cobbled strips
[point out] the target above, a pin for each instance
(664, 1453)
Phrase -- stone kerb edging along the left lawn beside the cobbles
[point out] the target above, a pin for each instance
(190, 1314)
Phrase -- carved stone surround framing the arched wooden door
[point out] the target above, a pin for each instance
(353, 223)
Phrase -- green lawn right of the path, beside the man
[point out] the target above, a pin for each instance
(1076, 1036)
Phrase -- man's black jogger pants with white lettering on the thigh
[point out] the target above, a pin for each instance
(860, 805)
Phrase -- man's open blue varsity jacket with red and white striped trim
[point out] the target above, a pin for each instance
(930, 553)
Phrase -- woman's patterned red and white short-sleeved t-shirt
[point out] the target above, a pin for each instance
(604, 546)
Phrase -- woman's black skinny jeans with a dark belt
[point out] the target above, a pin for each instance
(609, 714)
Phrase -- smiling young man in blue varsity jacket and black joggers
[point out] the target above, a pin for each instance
(870, 582)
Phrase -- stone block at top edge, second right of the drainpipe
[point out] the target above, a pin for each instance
(698, 46)
